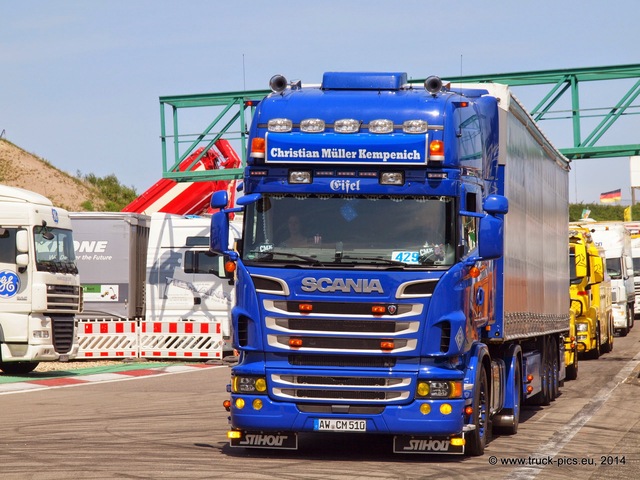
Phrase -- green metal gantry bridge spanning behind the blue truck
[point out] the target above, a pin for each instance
(227, 115)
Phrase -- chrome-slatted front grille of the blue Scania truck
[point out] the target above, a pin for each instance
(366, 337)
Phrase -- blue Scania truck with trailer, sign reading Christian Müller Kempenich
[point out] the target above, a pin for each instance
(403, 266)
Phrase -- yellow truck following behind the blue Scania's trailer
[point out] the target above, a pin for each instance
(590, 293)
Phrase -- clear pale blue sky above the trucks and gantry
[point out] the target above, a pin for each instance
(81, 80)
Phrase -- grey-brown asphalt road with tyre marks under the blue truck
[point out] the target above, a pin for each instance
(173, 426)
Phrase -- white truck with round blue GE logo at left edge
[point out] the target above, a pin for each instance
(40, 292)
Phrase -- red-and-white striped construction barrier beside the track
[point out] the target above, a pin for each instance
(111, 338)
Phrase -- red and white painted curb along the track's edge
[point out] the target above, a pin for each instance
(76, 380)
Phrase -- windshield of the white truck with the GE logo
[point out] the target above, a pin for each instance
(54, 250)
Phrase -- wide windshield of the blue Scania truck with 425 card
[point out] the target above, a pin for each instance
(379, 230)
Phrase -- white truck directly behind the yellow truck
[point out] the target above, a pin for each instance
(615, 239)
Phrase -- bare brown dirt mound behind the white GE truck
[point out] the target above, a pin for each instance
(22, 169)
